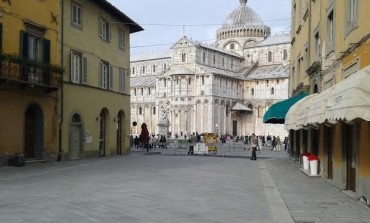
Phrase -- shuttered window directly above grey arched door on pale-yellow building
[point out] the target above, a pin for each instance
(78, 68)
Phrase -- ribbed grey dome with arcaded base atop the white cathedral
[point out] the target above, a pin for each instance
(243, 22)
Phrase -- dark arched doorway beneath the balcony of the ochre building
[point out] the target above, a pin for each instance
(34, 132)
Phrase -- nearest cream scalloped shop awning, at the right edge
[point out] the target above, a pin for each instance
(350, 99)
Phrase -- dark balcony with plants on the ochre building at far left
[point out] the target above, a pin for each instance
(24, 74)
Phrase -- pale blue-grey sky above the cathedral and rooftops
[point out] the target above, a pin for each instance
(166, 21)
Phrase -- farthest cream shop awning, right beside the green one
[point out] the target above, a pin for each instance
(297, 114)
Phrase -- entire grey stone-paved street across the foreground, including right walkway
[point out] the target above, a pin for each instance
(173, 189)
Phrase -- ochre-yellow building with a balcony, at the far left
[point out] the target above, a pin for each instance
(28, 80)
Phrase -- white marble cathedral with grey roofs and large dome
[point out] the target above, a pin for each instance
(223, 88)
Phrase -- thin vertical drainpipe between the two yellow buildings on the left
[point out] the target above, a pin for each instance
(61, 91)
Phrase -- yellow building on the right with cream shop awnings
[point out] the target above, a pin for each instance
(331, 58)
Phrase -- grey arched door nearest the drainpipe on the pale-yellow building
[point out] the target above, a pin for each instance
(75, 138)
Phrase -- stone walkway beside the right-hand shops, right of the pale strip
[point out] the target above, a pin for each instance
(313, 199)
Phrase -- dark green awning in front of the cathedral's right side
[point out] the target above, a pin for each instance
(277, 112)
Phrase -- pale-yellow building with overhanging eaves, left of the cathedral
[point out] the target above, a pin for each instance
(95, 100)
